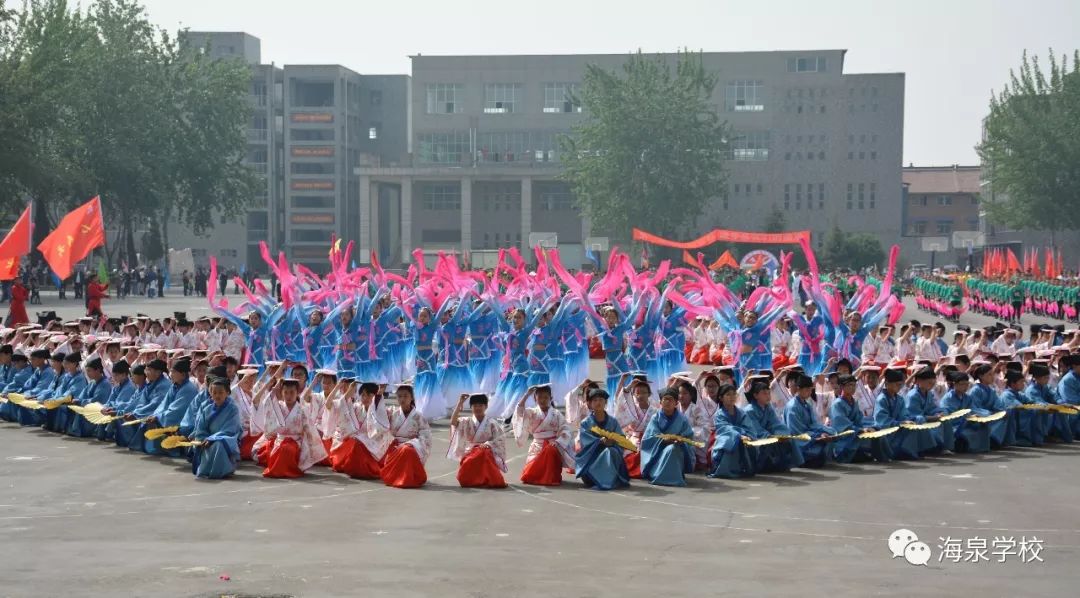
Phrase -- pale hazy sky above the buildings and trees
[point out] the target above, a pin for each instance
(954, 52)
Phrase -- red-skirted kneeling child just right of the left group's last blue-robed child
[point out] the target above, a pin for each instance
(291, 444)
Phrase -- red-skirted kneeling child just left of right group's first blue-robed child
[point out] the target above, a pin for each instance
(551, 448)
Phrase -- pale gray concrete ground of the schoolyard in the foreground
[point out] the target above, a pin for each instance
(84, 519)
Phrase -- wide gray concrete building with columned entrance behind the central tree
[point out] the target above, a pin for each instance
(821, 145)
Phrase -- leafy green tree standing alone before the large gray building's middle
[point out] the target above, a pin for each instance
(651, 153)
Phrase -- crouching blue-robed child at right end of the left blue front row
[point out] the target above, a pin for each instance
(218, 430)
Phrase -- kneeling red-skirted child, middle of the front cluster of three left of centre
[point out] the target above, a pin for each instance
(357, 451)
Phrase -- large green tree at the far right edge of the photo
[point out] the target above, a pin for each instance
(1032, 147)
